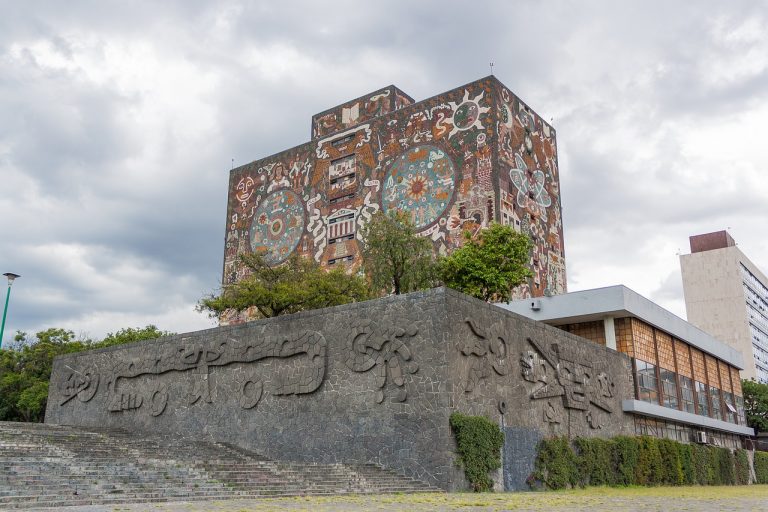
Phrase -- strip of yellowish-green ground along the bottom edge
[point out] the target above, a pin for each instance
(663, 499)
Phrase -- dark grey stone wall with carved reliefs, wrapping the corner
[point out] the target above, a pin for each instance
(368, 382)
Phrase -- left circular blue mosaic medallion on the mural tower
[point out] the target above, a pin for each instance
(277, 226)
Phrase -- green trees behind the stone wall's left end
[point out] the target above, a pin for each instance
(26, 364)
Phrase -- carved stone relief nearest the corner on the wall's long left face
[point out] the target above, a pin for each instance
(383, 350)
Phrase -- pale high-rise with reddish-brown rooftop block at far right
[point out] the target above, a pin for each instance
(726, 295)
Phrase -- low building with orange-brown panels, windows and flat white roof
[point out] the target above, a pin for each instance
(686, 382)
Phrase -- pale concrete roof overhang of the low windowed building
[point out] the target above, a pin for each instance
(619, 301)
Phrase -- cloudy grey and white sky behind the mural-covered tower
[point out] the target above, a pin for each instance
(119, 122)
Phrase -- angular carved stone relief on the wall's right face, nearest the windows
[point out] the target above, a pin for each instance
(562, 371)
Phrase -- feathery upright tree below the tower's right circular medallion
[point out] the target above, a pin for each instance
(395, 259)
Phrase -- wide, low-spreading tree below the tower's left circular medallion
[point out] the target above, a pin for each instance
(297, 285)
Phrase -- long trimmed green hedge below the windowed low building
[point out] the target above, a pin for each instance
(639, 460)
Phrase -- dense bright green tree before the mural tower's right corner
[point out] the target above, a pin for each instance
(490, 266)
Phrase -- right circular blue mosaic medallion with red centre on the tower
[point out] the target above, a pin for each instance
(421, 181)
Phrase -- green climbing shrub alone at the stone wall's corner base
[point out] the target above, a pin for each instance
(479, 443)
